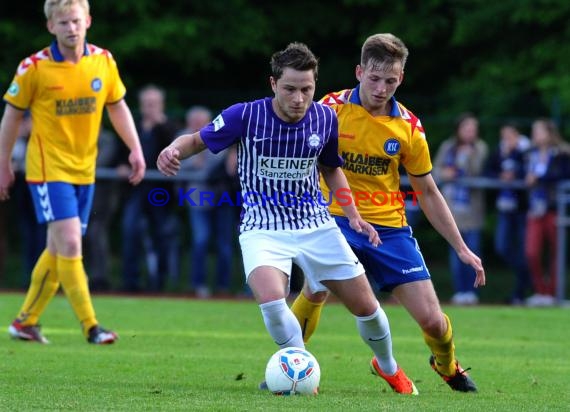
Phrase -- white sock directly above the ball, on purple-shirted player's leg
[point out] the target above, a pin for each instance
(282, 324)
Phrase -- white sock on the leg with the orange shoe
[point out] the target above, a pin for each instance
(375, 331)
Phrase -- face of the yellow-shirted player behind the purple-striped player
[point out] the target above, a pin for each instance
(378, 84)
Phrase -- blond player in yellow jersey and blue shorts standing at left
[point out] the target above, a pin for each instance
(65, 87)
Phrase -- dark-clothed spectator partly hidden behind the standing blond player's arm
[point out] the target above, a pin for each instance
(105, 205)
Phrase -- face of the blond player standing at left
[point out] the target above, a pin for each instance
(70, 27)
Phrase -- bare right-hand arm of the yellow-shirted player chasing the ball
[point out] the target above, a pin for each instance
(437, 212)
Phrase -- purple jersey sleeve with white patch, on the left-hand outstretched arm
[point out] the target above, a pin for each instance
(225, 130)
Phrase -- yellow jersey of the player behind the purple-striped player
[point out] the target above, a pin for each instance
(373, 148)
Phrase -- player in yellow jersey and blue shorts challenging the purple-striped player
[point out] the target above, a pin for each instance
(377, 134)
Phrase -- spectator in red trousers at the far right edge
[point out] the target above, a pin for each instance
(547, 163)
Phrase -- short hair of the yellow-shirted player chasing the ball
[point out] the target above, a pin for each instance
(383, 49)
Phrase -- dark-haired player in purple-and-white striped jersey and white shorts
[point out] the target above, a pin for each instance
(283, 143)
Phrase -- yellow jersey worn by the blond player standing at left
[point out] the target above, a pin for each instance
(66, 102)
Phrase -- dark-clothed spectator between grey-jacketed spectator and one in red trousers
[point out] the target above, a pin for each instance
(506, 163)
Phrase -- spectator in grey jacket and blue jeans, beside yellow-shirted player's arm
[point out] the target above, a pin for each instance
(463, 155)
